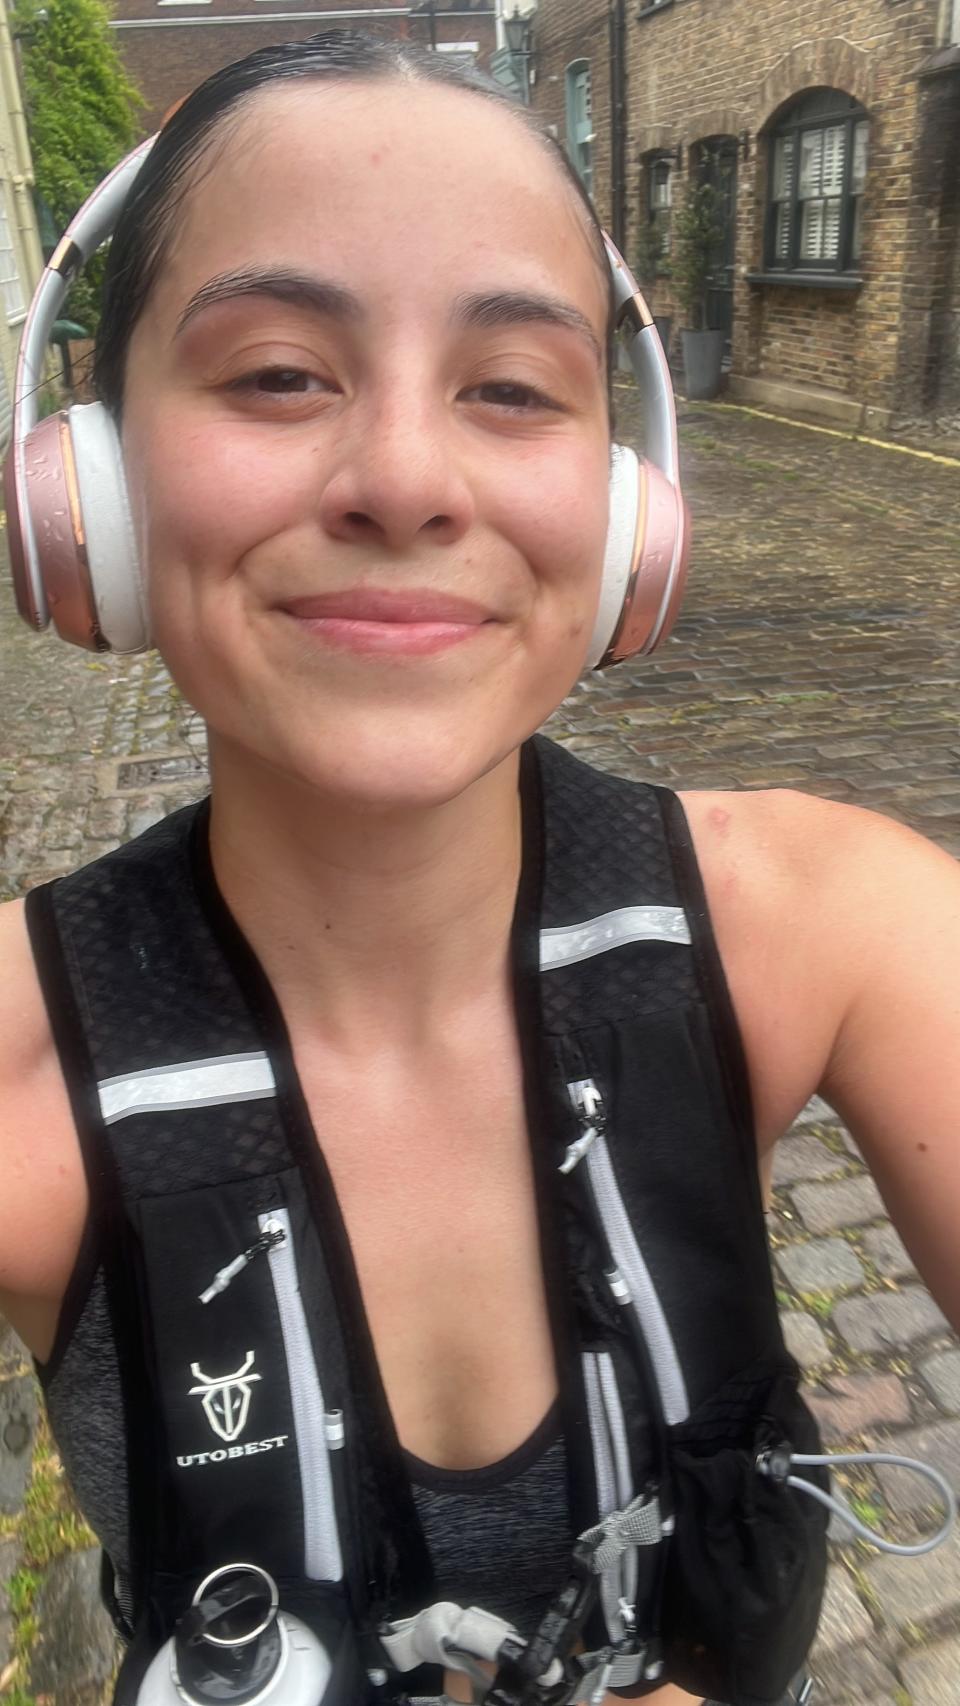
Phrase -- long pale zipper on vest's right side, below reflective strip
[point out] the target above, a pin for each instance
(627, 1253)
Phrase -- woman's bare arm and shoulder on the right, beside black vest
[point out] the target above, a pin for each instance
(840, 932)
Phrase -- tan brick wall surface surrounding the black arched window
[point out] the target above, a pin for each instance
(702, 69)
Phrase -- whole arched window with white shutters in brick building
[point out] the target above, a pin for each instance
(816, 185)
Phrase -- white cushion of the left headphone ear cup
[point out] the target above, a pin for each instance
(113, 569)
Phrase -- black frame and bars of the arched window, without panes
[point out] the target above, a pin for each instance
(850, 115)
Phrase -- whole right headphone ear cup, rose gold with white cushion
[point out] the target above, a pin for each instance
(645, 564)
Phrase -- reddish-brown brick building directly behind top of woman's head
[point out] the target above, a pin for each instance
(170, 47)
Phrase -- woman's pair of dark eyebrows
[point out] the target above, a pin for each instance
(321, 296)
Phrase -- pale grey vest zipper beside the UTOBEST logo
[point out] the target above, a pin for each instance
(316, 1430)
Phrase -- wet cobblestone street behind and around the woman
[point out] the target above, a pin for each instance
(819, 649)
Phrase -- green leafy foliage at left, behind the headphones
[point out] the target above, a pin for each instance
(83, 113)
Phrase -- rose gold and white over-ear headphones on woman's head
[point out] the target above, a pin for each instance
(71, 533)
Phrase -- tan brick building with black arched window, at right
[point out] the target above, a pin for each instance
(833, 132)
